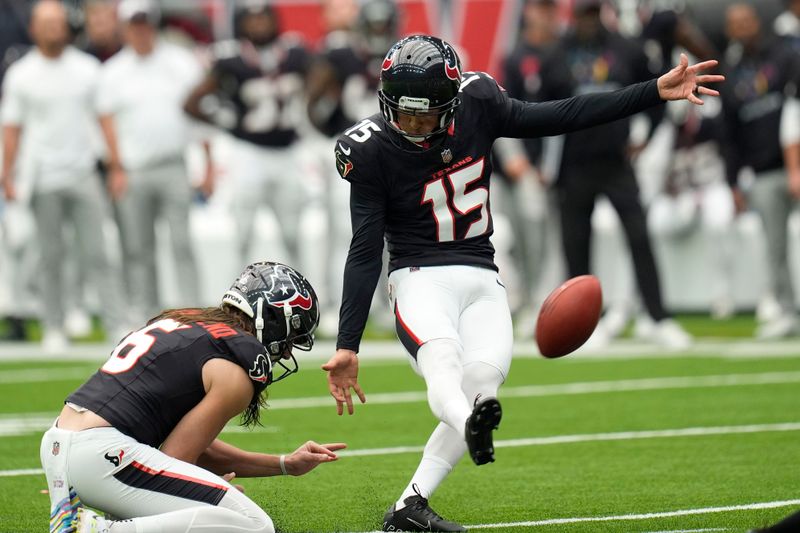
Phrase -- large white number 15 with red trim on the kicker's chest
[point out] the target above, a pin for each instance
(463, 202)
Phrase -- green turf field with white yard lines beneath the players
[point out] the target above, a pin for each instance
(696, 442)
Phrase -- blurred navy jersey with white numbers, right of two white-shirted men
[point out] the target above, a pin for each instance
(261, 88)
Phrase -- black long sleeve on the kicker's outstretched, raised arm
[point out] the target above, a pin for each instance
(541, 119)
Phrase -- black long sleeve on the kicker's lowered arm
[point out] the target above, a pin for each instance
(364, 260)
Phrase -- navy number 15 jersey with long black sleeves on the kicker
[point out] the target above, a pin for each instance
(432, 203)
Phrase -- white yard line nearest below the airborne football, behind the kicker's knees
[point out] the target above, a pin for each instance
(26, 423)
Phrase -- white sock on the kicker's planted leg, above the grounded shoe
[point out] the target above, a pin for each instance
(443, 450)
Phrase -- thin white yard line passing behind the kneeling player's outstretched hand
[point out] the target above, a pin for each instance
(556, 439)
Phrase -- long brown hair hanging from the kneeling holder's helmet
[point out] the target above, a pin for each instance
(229, 315)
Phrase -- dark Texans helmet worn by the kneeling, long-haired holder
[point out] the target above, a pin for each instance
(283, 306)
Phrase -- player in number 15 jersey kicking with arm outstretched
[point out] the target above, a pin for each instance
(419, 175)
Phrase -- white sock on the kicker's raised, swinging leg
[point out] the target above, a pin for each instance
(439, 362)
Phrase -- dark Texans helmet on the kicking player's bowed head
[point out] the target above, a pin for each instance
(420, 75)
